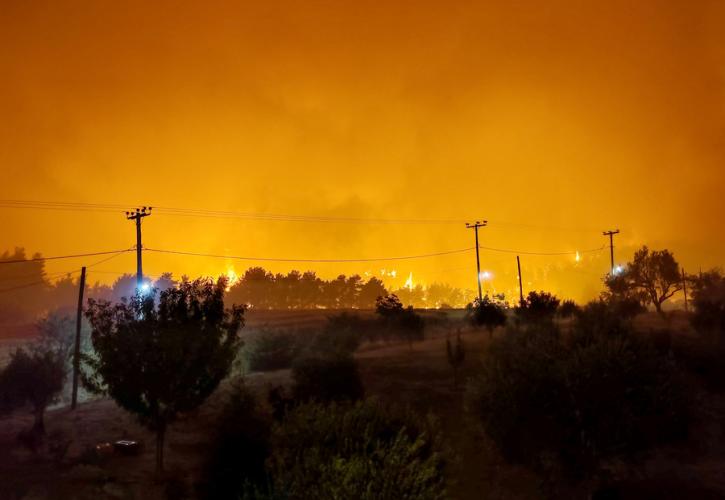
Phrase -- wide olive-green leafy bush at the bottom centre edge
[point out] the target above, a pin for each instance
(361, 451)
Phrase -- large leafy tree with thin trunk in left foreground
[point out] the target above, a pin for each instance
(158, 360)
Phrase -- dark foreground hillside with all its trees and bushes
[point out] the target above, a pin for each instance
(546, 399)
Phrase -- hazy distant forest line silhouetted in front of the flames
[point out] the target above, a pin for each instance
(27, 291)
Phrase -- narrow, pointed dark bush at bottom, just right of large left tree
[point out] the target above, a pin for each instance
(240, 448)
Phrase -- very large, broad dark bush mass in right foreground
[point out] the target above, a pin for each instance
(553, 402)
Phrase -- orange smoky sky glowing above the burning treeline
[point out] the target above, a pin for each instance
(553, 120)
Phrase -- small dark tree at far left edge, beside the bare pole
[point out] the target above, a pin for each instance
(34, 378)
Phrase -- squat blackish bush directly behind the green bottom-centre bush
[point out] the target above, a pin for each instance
(332, 377)
